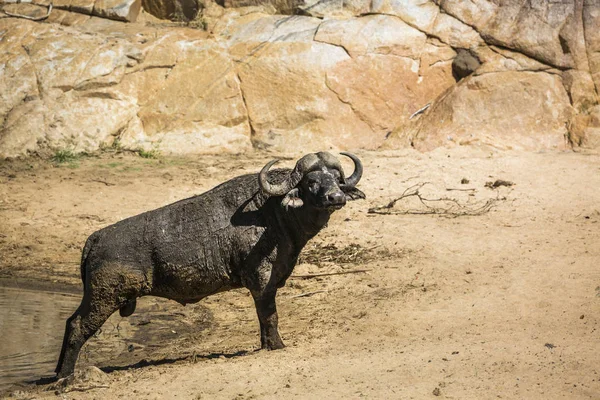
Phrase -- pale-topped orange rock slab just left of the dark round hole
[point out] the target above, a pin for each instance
(390, 60)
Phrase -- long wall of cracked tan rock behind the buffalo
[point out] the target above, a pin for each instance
(344, 75)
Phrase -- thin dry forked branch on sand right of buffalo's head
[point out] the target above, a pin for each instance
(443, 206)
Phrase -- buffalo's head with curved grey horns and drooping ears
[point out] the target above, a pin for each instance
(317, 181)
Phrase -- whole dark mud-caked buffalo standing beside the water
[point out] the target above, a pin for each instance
(246, 232)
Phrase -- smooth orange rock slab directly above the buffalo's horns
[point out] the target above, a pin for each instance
(290, 105)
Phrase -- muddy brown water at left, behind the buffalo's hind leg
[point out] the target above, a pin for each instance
(31, 330)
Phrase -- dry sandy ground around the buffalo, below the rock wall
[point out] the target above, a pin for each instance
(500, 305)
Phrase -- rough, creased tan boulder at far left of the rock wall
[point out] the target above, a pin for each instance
(56, 88)
